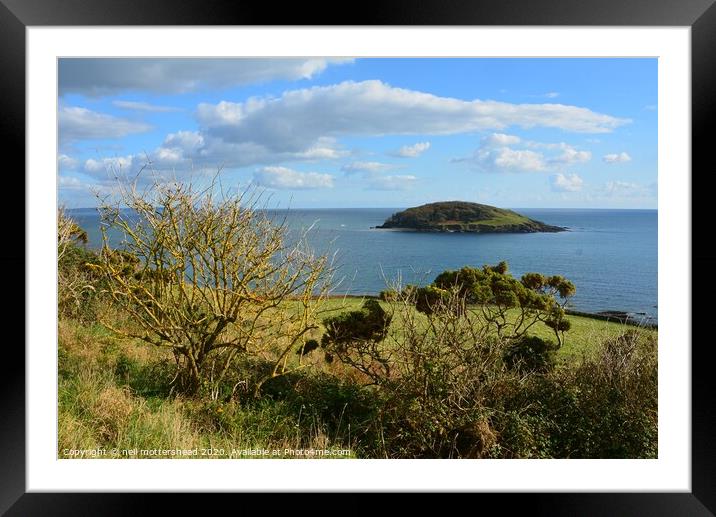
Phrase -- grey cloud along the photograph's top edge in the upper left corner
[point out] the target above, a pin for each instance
(108, 76)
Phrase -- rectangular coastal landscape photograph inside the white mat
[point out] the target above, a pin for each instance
(357, 258)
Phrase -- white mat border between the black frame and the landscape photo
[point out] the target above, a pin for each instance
(670, 472)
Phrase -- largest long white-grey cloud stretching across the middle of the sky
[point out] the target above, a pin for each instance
(296, 119)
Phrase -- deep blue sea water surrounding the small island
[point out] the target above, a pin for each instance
(610, 255)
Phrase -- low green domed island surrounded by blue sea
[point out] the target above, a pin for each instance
(465, 217)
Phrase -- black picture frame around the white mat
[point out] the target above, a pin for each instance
(700, 15)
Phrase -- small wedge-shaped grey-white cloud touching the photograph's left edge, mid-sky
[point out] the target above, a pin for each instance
(77, 123)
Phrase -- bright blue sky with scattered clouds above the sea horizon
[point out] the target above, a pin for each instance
(371, 132)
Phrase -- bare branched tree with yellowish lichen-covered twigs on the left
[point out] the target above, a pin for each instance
(213, 277)
